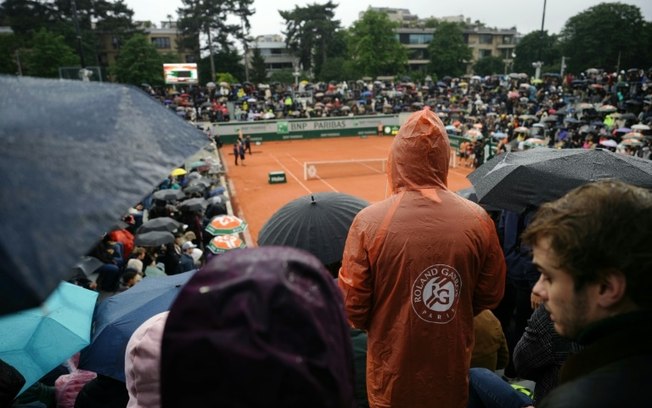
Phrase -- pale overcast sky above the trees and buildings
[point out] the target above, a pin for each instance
(526, 15)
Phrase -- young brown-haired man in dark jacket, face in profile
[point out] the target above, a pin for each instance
(592, 247)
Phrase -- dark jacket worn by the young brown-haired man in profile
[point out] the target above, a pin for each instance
(614, 368)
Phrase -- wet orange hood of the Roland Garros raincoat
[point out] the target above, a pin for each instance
(419, 156)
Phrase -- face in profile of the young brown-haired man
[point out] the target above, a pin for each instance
(570, 311)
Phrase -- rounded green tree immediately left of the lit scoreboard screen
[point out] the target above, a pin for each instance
(138, 62)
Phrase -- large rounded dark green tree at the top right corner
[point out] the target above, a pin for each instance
(609, 36)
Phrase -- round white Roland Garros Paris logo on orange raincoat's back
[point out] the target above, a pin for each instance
(435, 294)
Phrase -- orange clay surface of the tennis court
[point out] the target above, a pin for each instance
(255, 200)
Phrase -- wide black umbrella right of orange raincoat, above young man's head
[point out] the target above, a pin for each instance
(514, 181)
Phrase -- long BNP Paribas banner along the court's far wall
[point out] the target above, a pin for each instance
(307, 128)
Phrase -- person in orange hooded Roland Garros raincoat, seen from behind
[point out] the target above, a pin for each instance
(417, 267)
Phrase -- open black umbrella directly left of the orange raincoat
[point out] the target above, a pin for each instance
(317, 223)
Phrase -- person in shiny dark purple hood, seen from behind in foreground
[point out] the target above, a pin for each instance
(260, 327)
